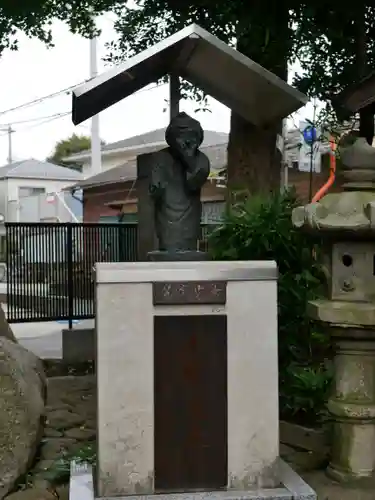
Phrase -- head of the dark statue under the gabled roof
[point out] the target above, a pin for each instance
(184, 133)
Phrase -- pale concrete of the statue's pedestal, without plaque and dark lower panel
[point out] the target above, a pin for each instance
(125, 332)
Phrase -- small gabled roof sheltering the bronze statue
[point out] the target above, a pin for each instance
(236, 81)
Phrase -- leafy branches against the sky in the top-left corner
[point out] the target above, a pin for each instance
(34, 18)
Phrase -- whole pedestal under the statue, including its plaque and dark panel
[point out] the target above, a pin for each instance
(187, 377)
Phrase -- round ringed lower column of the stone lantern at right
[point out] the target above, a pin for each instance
(353, 404)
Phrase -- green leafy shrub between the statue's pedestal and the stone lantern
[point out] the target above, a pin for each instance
(261, 229)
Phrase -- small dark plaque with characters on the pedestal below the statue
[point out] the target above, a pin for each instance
(189, 292)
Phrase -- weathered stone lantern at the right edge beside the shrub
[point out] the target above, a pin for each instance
(346, 223)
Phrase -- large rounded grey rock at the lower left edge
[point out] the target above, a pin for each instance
(22, 402)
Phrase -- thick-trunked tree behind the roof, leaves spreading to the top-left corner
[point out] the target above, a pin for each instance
(261, 30)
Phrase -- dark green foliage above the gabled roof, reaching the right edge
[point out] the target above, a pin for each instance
(334, 44)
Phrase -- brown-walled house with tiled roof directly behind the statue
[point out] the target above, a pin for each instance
(114, 189)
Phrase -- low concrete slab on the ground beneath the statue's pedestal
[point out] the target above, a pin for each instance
(293, 488)
